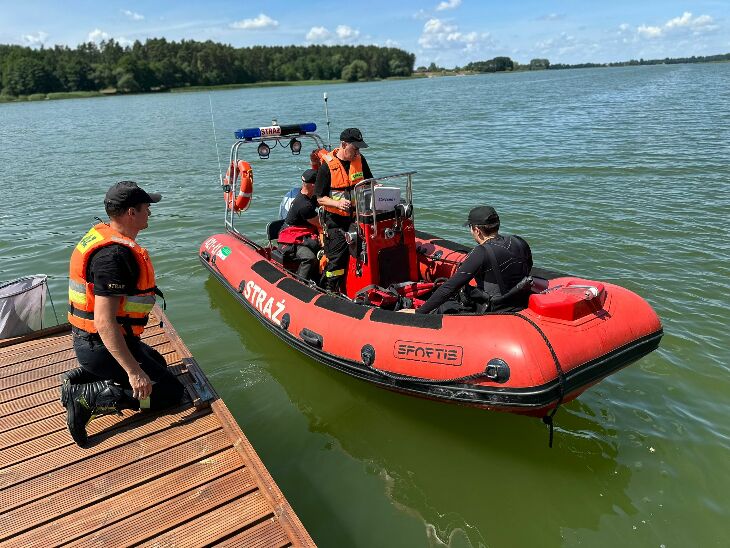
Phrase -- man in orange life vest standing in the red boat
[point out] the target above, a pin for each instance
(340, 171)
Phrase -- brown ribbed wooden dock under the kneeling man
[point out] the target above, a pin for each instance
(188, 477)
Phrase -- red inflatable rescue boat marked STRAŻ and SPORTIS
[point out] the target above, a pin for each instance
(573, 333)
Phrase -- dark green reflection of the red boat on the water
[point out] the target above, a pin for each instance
(461, 470)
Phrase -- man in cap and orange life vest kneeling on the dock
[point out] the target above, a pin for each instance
(111, 293)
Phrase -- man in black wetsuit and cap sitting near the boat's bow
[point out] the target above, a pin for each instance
(499, 264)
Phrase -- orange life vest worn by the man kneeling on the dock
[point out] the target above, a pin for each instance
(134, 310)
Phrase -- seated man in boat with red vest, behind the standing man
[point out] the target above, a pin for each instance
(300, 235)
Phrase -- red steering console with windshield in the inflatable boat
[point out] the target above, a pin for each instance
(382, 240)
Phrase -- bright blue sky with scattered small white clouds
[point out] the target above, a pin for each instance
(447, 32)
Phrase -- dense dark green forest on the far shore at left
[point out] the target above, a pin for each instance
(158, 64)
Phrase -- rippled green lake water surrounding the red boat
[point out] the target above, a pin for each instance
(621, 175)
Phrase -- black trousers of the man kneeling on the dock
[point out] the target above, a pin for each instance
(94, 358)
